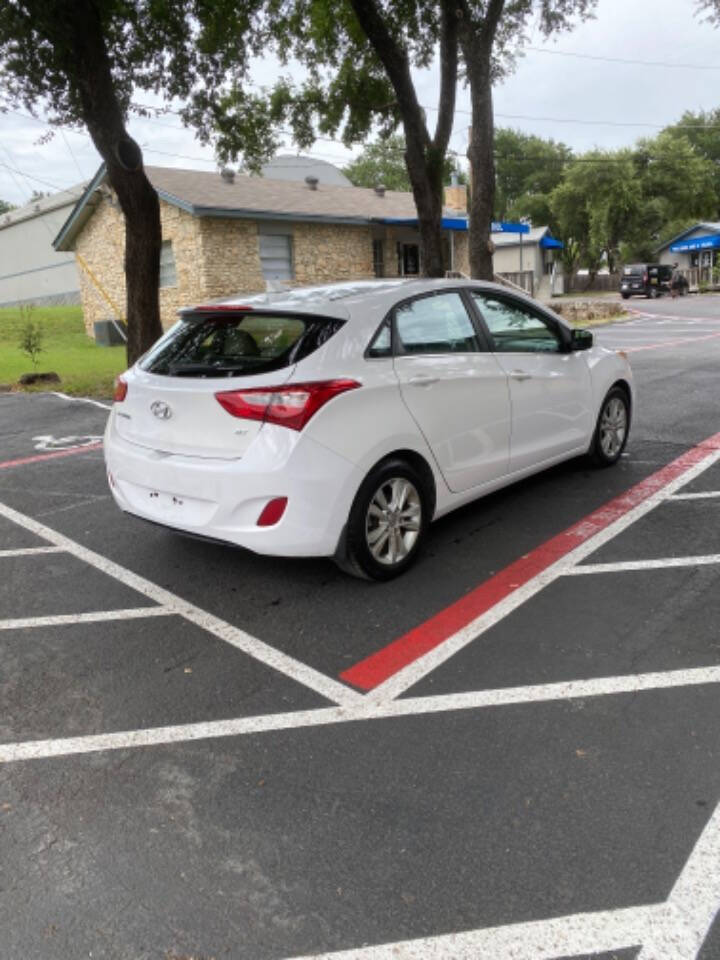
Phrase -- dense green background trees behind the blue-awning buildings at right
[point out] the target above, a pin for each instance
(610, 206)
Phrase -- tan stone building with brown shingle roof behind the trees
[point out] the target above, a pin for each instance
(225, 234)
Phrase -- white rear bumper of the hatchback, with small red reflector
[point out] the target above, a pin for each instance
(223, 499)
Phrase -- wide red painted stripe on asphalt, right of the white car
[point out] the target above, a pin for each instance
(378, 667)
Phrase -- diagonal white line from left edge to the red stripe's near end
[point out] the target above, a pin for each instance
(327, 687)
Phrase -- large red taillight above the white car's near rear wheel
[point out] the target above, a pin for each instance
(289, 406)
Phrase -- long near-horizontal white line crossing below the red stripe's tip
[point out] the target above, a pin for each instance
(363, 711)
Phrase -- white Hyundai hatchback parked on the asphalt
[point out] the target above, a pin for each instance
(340, 420)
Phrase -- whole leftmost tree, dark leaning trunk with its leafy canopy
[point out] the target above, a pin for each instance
(82, 61)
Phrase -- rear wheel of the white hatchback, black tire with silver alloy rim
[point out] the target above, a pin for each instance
(388, 522)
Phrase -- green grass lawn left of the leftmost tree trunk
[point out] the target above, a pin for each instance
(84, 368)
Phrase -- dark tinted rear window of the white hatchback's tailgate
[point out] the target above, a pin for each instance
(236, 344)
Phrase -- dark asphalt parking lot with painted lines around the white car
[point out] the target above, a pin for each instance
(511, 752)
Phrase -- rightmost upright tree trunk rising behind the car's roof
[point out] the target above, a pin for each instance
(482, 163)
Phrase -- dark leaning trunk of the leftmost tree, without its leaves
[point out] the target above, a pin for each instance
(91, 77)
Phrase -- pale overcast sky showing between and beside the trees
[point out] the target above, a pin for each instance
(561, 89)
